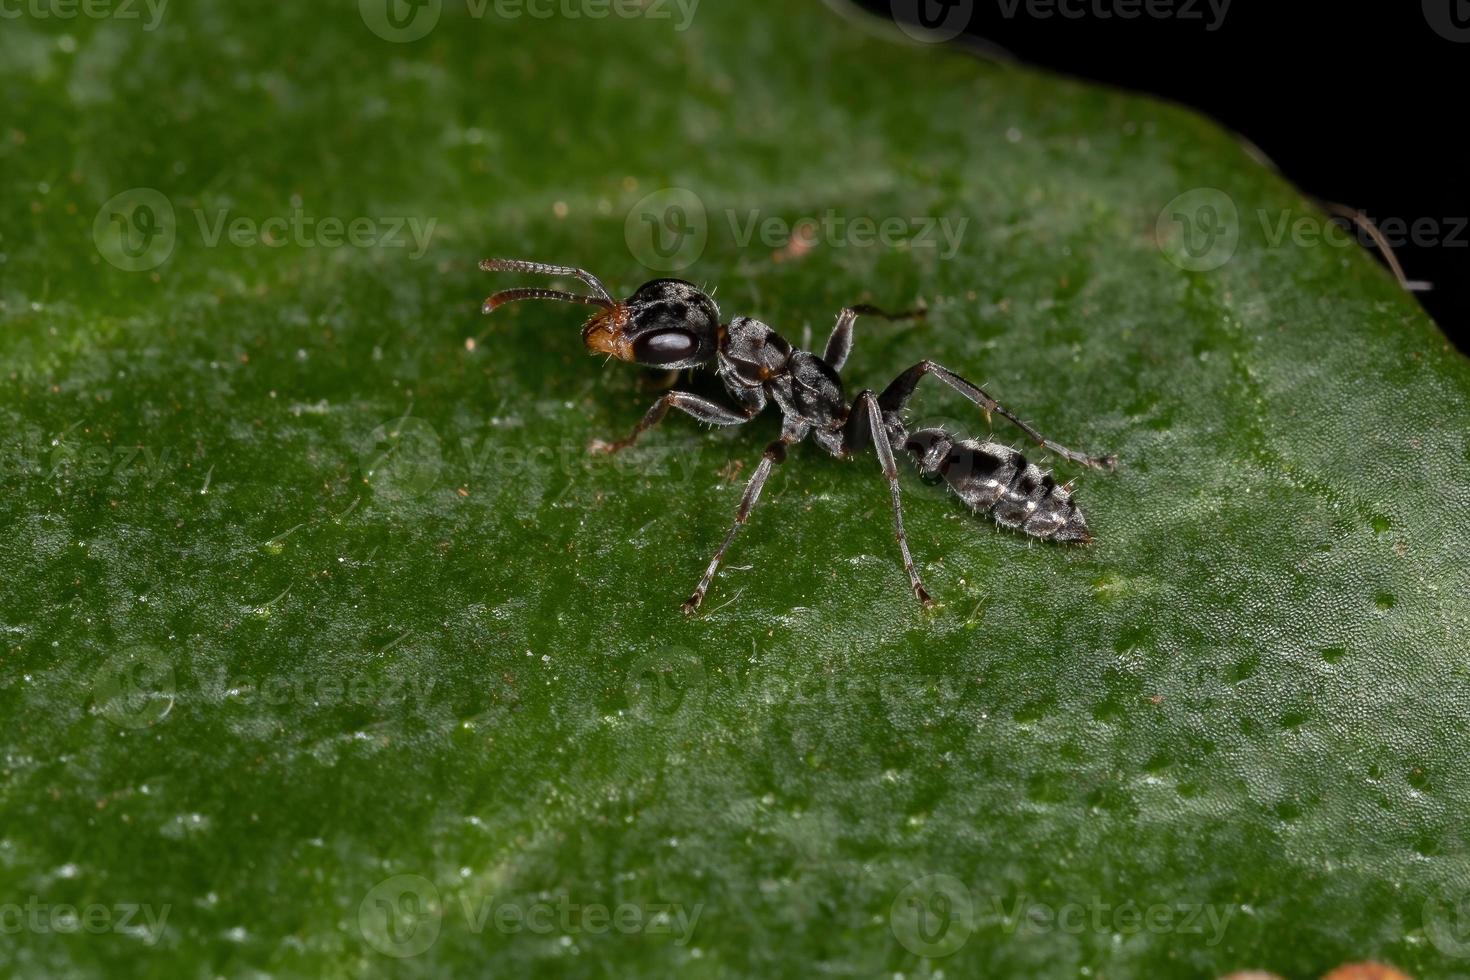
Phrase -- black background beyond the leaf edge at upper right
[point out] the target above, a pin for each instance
(1365, 107)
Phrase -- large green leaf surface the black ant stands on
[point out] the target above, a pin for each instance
(330, 650)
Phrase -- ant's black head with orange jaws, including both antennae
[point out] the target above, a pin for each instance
(668, 324)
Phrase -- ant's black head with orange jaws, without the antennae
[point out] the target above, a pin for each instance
(668, 324)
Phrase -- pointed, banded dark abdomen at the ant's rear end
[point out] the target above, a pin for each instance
(999, 481)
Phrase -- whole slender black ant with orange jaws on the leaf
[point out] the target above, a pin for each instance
(670, 324)
